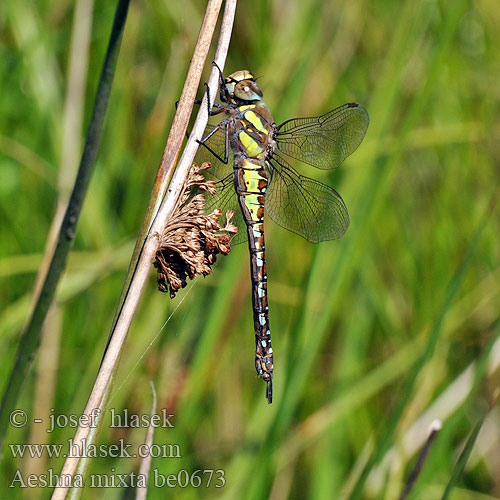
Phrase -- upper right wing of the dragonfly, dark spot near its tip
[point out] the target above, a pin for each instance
(324, 141)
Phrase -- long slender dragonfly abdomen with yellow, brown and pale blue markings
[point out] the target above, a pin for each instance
(251, 184)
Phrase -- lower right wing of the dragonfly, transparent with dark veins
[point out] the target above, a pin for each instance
(304, 206)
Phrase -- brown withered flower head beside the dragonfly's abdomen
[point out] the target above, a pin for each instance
(191, 240)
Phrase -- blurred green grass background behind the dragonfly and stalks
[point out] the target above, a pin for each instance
(413, 288)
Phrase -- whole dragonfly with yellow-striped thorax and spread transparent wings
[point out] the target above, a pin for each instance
(250, 156)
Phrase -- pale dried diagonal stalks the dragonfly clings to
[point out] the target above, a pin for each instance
(174, 179)
